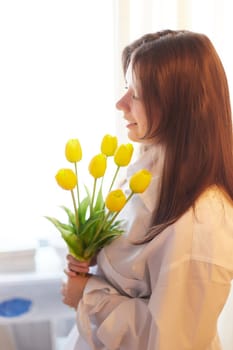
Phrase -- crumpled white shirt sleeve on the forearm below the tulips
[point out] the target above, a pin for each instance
(109, 320)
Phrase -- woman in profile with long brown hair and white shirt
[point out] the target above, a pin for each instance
(164, 282)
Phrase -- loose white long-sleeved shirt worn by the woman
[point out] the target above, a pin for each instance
(166, 294)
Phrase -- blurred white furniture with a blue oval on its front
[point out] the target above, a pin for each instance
(48, 318)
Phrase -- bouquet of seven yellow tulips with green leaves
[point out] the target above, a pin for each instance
(92, 222)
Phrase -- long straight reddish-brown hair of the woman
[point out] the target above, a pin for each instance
(182, 74)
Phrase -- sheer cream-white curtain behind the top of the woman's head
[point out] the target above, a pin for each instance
(212, 17)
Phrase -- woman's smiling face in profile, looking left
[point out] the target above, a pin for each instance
(131, 104)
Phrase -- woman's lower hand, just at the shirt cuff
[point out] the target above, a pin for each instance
(72, 290)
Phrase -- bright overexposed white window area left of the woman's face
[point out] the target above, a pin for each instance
(56, 82)
